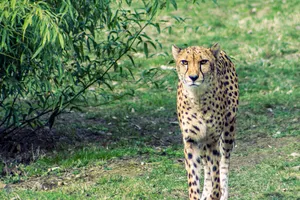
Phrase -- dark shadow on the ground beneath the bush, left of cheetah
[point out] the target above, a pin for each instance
(75, 130)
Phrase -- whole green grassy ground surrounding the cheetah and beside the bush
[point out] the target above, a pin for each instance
(139, 154)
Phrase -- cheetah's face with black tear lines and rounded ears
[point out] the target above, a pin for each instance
(195, 65)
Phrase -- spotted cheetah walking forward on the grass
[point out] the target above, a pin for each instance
(207, 100)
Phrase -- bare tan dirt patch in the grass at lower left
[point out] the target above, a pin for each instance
(126, 167)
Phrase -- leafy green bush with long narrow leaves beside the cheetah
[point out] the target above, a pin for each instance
(52, 52)
